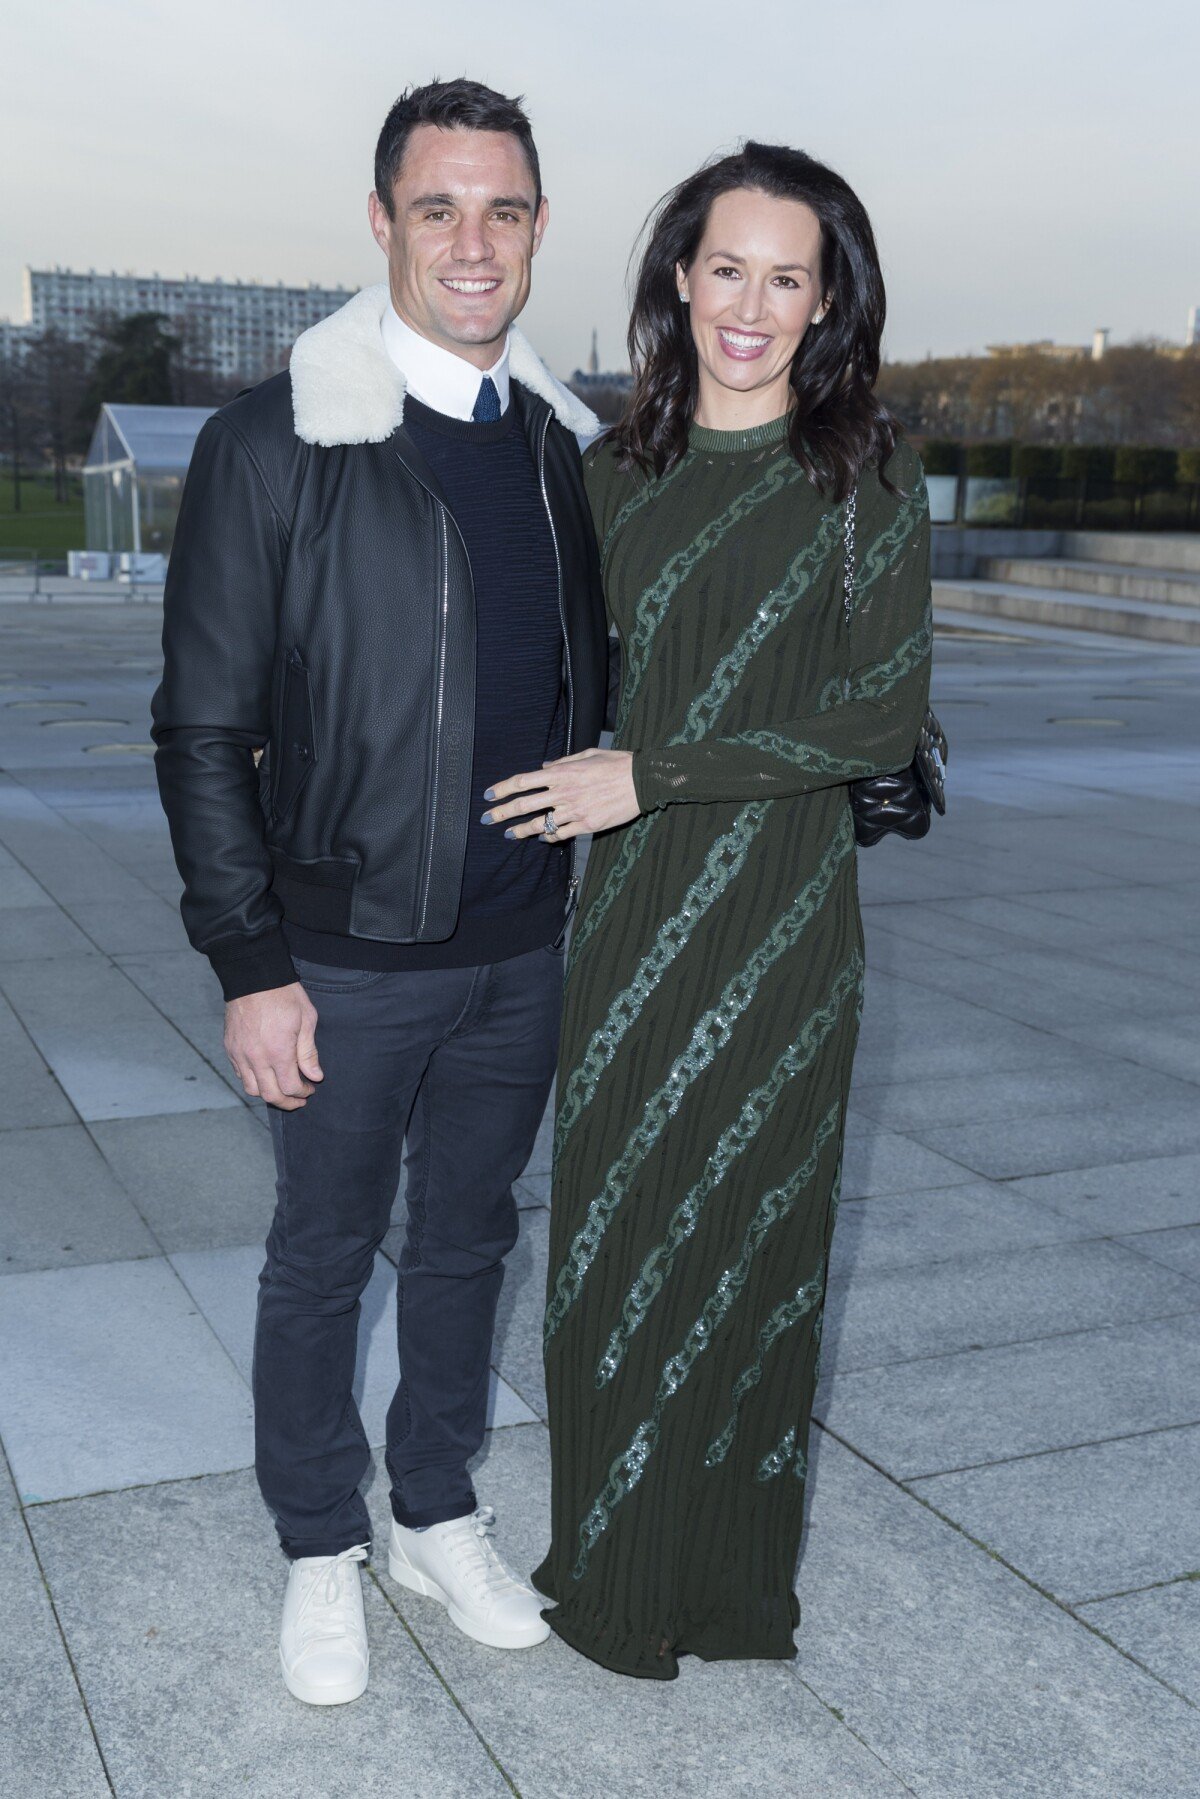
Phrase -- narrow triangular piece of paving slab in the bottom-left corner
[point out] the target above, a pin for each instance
(46, 1744)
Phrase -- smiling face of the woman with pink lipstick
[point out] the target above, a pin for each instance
(753, 291)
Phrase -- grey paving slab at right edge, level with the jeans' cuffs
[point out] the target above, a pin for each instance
(1086, 1523)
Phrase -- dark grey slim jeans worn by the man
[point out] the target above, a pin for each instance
(452, 1066)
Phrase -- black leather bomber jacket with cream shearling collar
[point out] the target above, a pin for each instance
(319, 607)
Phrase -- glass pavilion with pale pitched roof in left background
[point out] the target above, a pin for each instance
(134, 476)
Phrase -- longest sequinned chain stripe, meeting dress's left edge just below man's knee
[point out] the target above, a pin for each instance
(710, 1035)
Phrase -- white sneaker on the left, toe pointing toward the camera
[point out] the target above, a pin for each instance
(323, 1643)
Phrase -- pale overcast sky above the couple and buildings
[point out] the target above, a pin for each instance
(1032, 168)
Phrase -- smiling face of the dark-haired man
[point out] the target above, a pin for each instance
(465, 231)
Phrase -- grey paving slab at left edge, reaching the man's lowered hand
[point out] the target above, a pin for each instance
(112, 1053)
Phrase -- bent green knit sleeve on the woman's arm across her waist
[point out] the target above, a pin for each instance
(866, 724)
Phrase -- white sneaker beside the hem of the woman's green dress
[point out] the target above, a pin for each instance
(458, 1566)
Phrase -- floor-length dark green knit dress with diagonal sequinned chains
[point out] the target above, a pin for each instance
(713, 1008)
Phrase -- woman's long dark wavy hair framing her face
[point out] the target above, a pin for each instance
(837, 425)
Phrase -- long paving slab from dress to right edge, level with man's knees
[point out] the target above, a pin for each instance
(978, 1302)
